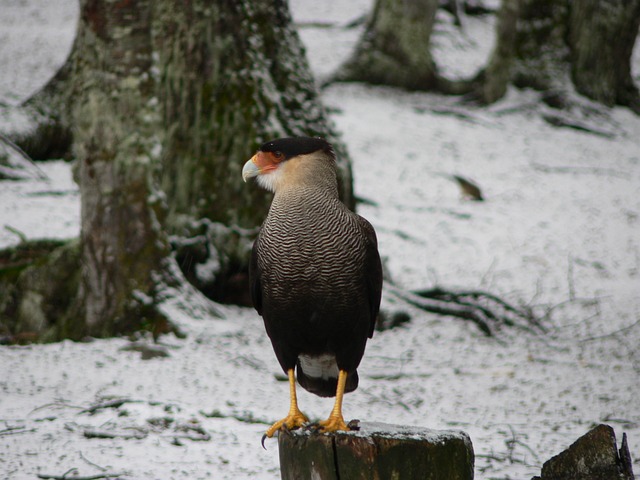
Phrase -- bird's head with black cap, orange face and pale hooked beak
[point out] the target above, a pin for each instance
(291, 161)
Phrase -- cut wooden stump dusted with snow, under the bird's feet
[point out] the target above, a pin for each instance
(376, 451)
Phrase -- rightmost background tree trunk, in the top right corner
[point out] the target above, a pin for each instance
(603, 34)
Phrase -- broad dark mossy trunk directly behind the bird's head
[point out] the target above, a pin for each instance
(231, 76)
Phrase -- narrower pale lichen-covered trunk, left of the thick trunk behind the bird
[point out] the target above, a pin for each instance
(122, 245)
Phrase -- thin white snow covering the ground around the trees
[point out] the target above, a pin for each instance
(559, 231)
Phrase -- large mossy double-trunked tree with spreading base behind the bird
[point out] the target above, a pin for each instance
(166, 101)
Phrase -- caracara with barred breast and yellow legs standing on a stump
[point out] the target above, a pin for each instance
(315, 275)
